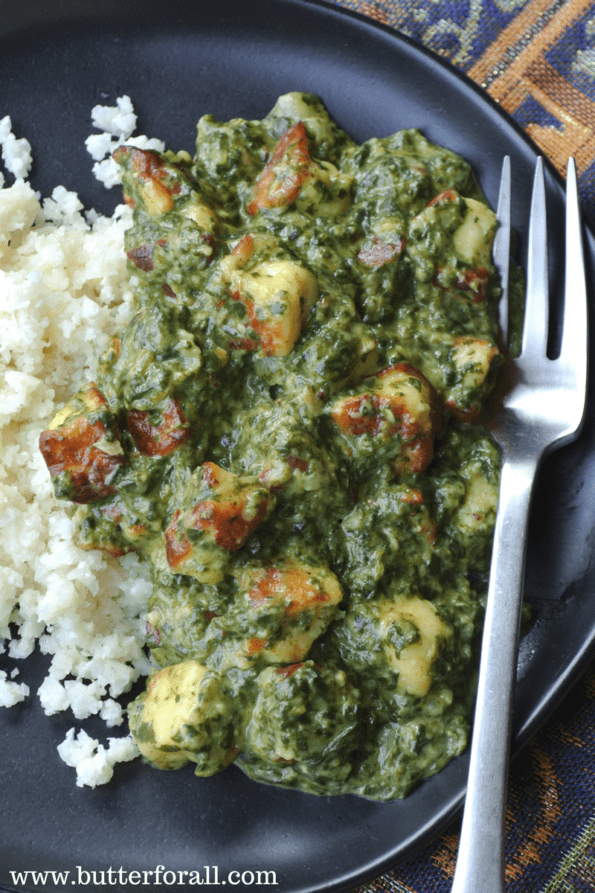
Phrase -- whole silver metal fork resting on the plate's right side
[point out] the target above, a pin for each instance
(542, 410)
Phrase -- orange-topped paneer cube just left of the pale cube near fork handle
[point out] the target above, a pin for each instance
(290, 605)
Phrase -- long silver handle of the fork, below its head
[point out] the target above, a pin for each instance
(480, 862)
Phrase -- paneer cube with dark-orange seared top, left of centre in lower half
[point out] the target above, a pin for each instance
(219, 511)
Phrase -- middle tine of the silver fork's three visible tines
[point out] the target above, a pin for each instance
(535, 328)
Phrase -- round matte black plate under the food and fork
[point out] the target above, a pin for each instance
(178, 60)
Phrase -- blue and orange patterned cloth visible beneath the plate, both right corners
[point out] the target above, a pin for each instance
(537, 59)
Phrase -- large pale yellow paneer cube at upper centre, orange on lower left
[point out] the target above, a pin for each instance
(277, 292)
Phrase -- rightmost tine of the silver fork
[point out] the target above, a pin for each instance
(573, 349)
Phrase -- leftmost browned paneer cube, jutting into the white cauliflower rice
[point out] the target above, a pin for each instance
(81, 448)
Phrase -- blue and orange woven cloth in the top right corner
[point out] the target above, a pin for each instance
(536, 58)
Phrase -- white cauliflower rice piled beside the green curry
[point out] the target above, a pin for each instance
(63, 295)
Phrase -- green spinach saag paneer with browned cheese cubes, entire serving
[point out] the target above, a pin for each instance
(287, 431)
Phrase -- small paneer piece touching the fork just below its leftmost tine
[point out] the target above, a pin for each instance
(472, 358)
